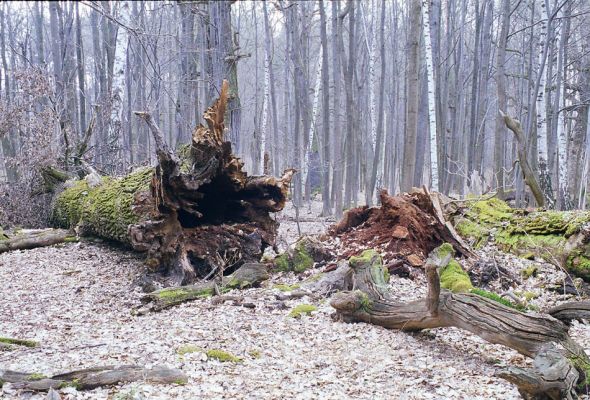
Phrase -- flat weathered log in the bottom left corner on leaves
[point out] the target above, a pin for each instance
(91, 378)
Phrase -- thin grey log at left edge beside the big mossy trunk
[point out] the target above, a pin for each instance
(32, 238)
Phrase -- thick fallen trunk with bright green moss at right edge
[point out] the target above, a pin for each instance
(559, 237)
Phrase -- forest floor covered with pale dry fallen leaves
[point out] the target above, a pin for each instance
(75, 299)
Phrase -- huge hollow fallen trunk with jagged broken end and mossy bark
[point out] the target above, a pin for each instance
(195, 213)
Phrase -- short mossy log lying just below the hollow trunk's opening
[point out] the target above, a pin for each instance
(248, 275)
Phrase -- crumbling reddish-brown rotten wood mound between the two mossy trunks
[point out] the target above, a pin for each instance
(403, 229)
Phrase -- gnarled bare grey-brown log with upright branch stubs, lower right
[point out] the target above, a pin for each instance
(560, 364)
